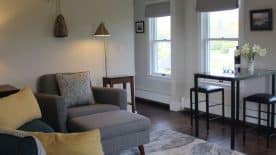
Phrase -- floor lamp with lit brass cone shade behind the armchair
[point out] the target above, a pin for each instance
(103, 32)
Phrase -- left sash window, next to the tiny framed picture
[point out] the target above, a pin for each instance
(160, 46)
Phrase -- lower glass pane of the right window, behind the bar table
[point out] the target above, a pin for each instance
(222, 56)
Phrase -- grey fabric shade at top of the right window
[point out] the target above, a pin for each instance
(216, 5)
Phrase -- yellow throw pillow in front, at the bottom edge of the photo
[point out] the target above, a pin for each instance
(86, 143)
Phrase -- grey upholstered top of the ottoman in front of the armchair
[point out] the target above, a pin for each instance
(111, 124)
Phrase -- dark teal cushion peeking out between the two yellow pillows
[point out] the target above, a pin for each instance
(36, 126)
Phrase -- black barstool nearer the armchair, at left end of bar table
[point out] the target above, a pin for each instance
(207, 90)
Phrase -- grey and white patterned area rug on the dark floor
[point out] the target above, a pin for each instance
(168, 142)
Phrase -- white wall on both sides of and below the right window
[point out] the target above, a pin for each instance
(187, 56)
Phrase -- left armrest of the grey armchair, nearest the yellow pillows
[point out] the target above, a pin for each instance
(54, 111)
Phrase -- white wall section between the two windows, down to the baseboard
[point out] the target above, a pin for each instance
(185, 50)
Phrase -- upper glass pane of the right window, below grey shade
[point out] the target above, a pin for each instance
(224, 24)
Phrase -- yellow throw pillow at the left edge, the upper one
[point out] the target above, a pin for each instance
(18, 109)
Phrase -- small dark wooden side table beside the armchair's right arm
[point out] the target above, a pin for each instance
(122, 80)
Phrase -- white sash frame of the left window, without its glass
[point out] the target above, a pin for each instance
(152, 45)
